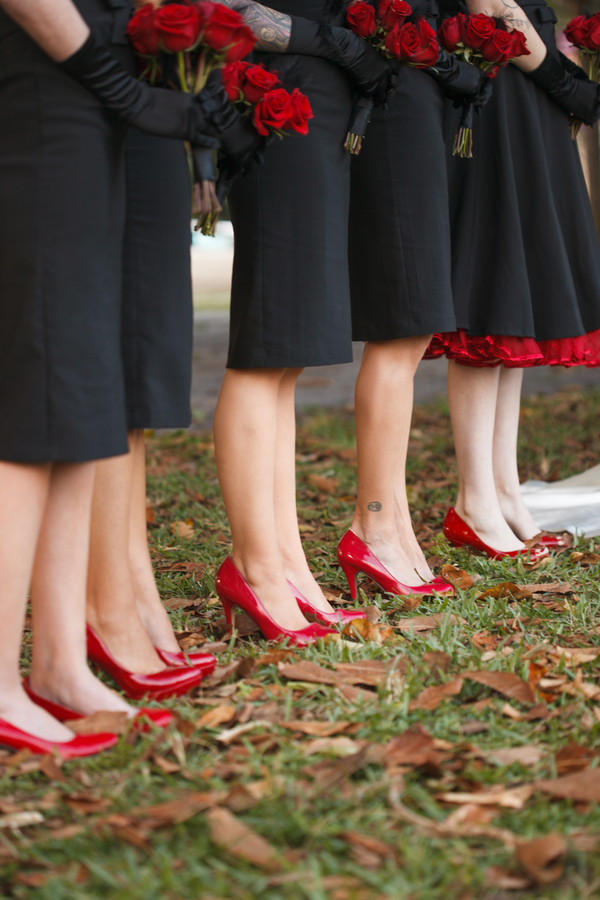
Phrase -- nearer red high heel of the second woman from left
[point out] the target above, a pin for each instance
(172, 682)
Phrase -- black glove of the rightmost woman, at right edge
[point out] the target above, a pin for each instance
(576, 95)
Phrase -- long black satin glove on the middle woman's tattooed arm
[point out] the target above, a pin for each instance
(372, 74)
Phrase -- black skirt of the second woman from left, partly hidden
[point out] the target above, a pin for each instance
(157, 288)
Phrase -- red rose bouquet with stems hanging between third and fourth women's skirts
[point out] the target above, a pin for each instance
(385, 27)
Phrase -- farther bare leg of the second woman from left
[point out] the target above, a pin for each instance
(151, 610)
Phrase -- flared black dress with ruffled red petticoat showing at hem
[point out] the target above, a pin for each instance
(525, 254)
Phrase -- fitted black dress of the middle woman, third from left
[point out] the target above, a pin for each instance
(290, 303)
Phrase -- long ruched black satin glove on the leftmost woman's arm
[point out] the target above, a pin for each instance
(158, 111)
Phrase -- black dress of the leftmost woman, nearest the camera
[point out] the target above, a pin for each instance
(62, 196)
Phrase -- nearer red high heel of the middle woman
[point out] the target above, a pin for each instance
(233, 590)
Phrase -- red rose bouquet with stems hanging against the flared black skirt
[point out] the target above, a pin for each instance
(484, 42)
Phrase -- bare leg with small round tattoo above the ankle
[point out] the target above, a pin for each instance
(384, 399)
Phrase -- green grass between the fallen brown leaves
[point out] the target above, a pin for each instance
(304, 820)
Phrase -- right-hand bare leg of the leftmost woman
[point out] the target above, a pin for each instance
(58, 588)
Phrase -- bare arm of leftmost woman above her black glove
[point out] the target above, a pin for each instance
(55, 25)
